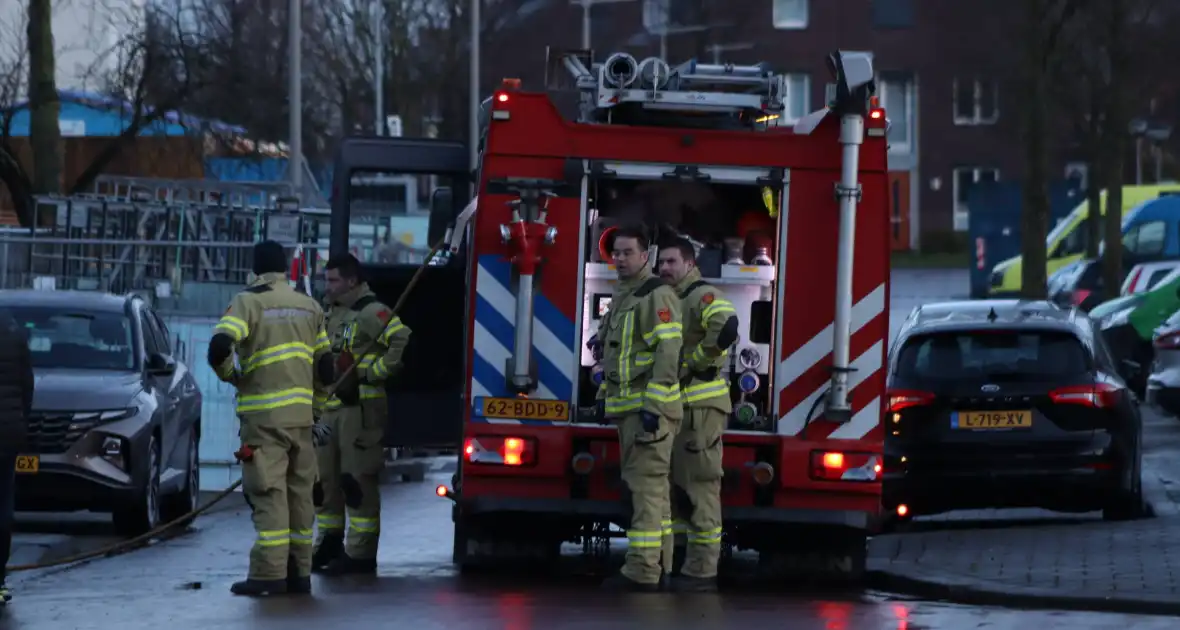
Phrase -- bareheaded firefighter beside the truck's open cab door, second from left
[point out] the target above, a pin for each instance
(366, 332)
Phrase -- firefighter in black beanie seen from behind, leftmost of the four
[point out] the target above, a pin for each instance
(283, 357)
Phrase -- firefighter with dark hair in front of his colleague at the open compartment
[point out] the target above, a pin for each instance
(640, 344)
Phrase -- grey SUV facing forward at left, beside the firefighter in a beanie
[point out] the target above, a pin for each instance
(116, 422)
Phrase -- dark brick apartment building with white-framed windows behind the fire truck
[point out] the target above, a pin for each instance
(942, 69)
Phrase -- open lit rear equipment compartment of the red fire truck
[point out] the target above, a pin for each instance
(735, 228)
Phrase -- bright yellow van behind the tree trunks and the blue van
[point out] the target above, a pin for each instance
(1066, 242)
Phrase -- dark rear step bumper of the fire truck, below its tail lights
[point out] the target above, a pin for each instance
(614, 511)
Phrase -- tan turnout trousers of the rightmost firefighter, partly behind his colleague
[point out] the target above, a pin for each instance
(697, 474)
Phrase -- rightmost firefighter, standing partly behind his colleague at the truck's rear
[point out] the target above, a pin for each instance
(711, 329)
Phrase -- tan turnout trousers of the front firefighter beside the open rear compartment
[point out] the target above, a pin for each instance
(646, 472)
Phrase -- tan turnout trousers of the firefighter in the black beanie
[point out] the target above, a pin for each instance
(278, 484)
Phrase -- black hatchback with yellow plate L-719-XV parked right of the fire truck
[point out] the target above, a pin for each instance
(1008, 404)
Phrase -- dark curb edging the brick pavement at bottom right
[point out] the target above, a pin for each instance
(930, 585)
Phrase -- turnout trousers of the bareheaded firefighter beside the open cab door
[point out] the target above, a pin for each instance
(350, 474)
